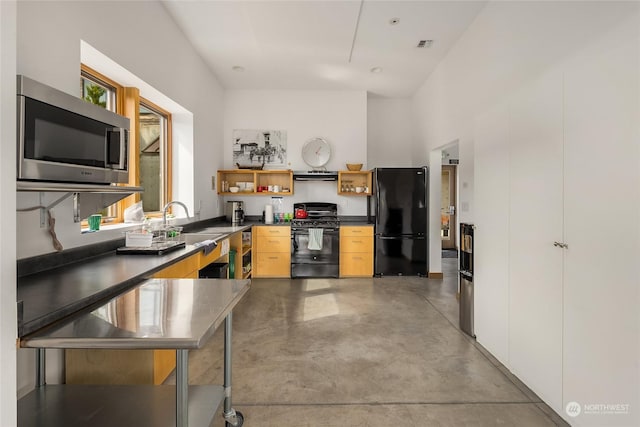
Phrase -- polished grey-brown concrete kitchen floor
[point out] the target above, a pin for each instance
(363, 352)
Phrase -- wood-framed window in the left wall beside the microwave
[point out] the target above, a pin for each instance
(150, 139)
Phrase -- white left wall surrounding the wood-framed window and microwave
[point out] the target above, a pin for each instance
(49, 50)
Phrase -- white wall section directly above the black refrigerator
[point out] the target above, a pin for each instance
(390, 133)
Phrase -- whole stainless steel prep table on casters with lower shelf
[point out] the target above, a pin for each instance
(179, 314)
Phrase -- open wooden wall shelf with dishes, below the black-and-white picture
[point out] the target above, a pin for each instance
(259, 178)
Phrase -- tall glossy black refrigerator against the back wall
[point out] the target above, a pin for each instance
(401, 220)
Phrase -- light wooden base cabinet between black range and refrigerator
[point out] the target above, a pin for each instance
(356, 251)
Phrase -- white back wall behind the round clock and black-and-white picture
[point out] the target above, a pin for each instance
(340, 117)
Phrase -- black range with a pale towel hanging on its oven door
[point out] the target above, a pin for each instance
(315, 241)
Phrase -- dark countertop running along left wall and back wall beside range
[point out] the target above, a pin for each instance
(55, 293)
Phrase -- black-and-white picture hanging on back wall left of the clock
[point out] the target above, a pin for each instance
(258, 147)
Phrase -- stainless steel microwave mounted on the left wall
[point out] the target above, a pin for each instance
(62, 138)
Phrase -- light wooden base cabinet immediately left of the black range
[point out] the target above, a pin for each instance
(271, 251)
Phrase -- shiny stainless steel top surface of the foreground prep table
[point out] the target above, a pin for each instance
(159, 313)
